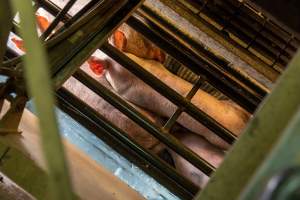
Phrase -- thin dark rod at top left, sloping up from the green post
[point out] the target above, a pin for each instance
(58, 19)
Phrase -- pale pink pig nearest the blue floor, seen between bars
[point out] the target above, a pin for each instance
(199, 145)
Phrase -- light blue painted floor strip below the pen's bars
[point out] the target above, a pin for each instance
(111, 160)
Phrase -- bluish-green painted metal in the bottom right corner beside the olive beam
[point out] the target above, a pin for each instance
(285, 155)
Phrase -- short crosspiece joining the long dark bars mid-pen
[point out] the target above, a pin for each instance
(168, 125)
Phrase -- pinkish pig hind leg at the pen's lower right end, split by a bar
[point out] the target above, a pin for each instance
(201, 147)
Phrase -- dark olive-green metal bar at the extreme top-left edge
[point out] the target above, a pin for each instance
(5, 26)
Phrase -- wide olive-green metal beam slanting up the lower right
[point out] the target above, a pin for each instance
(257, 141)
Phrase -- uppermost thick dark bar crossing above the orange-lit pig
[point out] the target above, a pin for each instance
(199, 64)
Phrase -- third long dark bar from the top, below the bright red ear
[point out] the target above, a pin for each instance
(145, 123)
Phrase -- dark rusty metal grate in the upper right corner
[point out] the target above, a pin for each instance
(241, 23)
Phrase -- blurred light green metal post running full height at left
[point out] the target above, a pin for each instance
(39, 85)
